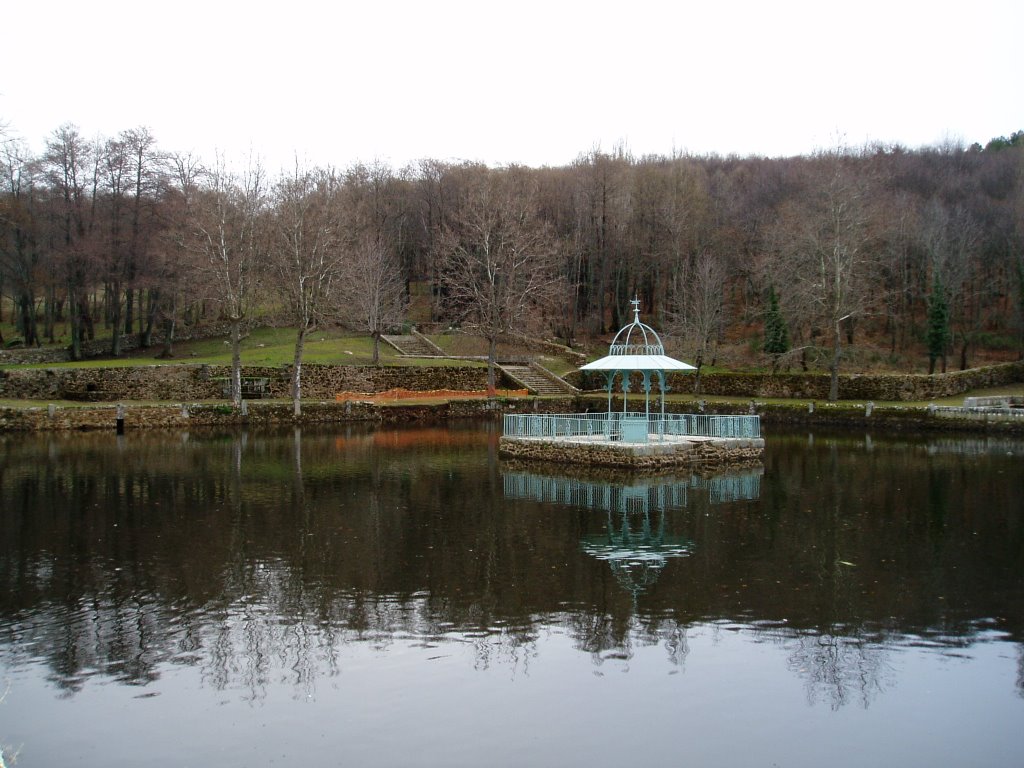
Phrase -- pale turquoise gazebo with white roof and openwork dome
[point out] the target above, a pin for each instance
(637, 348)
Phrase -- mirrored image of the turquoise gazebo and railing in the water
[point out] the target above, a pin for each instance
(637, 542)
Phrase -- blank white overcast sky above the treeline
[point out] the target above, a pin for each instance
(532, 82)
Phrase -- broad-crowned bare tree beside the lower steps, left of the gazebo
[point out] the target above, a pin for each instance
(501, 267)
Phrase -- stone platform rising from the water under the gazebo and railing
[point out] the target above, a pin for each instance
(661, 454)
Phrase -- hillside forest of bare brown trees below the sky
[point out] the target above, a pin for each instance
(917, 253)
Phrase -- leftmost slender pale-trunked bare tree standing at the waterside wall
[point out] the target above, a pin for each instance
(230, 228)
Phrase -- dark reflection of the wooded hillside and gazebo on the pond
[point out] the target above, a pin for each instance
(258, 559)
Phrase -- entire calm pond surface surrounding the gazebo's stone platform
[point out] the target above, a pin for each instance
(406, 599)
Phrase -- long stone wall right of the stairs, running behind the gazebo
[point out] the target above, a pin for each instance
(895, 388)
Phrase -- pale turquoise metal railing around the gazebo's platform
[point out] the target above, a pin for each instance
(630, 428)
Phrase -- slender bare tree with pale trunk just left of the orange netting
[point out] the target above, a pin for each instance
(308, 254)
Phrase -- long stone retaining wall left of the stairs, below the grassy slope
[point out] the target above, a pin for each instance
(190, 383)
